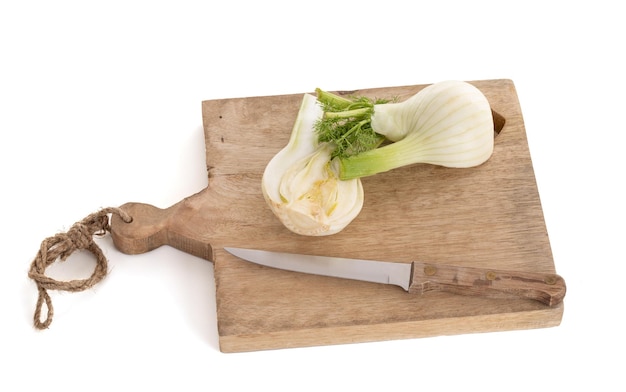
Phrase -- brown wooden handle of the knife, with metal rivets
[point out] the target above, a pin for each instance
(546, 288)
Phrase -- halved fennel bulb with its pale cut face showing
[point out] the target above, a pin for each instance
(300, 186)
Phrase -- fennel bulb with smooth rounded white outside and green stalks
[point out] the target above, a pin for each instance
(447, 123)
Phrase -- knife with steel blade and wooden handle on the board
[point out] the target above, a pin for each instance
(417, 277)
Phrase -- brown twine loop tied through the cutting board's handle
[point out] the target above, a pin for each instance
(79, 237)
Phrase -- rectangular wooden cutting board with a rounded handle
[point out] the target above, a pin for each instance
(489, 216)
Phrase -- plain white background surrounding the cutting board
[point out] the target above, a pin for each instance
(100, 105)
